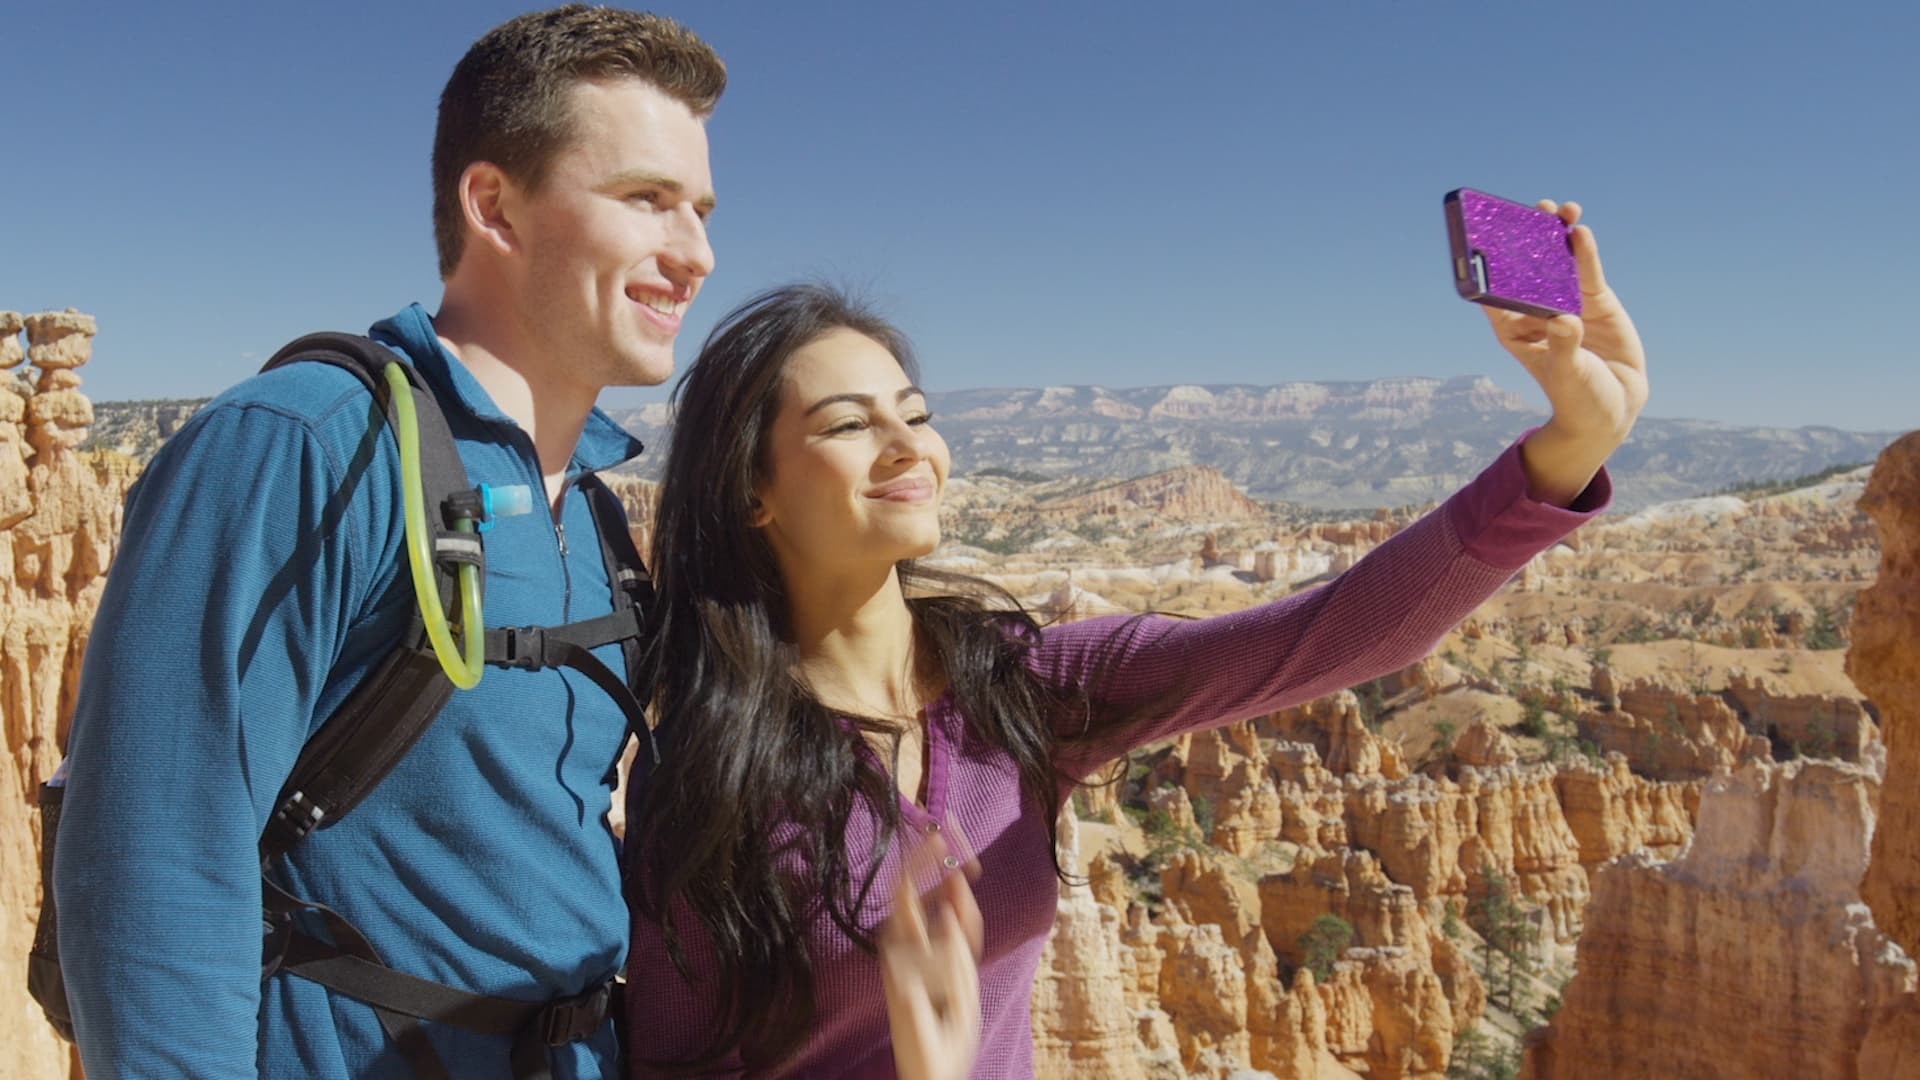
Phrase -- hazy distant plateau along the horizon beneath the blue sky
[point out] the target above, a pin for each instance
(1345, 447)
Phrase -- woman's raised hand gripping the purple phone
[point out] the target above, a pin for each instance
(1591, 368)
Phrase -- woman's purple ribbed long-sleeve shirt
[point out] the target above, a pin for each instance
(1383, 614)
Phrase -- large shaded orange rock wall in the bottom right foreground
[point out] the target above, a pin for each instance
(1750, 954)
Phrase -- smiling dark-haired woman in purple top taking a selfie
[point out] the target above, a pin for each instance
(823, 699)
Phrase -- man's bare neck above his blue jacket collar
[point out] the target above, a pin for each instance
(554, 412)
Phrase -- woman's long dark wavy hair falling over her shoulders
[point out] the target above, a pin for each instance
(740, 837)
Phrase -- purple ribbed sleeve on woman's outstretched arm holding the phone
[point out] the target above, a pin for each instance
(1168, 675)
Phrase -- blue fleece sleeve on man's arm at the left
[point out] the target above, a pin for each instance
(222, 618)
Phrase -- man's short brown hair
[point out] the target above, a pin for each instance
(510, 97)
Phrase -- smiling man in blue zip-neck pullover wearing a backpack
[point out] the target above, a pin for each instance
(262, 577)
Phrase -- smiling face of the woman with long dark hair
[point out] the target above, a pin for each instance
(853, 468)
